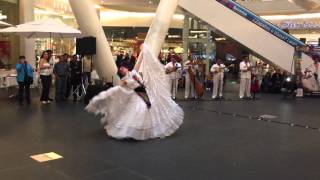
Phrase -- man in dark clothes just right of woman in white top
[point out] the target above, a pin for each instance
(61, 71)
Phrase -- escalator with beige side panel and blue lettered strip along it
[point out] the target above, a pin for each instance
(250, 30)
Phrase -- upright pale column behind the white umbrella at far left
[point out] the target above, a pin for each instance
(27, 46)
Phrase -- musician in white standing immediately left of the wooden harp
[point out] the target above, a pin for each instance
(189, 84)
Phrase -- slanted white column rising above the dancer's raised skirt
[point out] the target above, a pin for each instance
(160, 25)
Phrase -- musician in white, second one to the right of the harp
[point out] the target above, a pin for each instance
(245, 74)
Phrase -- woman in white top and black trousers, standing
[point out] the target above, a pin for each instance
(45, 76)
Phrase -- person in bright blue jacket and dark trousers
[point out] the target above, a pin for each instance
(24, 79)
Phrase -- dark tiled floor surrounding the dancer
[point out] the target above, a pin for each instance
(209, 145)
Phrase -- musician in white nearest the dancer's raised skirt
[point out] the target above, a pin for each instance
(173, 70)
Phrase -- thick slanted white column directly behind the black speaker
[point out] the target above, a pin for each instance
(90, 25)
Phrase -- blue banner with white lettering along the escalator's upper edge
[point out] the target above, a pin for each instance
(276, 31)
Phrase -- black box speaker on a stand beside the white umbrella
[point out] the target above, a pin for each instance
(86, 46)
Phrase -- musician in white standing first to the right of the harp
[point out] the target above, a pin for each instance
(217, 71)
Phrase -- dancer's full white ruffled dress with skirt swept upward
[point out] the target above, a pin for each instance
(125, 113)
